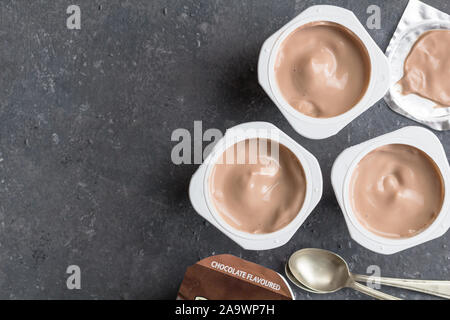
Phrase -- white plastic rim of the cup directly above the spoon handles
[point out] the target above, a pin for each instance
(342, 173)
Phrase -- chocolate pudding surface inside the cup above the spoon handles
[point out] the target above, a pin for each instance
(396, 191)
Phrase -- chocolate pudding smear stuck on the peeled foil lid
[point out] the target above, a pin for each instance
(427, 68)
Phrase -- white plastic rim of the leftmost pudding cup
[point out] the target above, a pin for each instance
(199, 191)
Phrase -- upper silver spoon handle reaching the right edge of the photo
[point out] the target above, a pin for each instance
(433, 287)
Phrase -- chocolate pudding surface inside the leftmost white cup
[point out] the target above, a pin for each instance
(258, 192)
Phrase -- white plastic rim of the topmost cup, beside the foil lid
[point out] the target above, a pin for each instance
(321, 128)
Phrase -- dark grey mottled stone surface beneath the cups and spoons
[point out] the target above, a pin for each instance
(86, 119)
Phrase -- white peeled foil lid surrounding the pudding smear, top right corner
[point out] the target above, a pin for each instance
(417, 19)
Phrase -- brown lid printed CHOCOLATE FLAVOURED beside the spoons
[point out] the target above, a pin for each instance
(226, 277)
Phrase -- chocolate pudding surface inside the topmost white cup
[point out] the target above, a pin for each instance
(322, 69)
